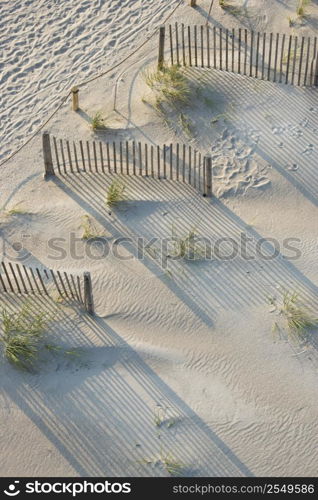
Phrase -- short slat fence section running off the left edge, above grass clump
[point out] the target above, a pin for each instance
(18, 279)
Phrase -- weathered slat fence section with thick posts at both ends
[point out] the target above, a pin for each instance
(174, 161)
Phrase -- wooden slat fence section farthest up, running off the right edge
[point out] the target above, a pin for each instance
(274, 57)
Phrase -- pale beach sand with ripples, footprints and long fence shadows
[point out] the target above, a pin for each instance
(191, 342)
